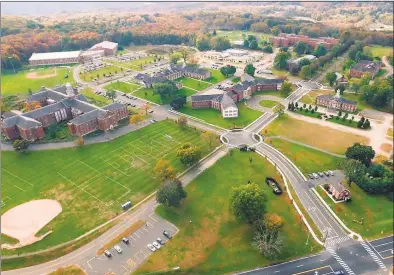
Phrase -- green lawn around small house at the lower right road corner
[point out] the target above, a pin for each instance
(376, 210)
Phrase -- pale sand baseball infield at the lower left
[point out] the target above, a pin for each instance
(25, 220)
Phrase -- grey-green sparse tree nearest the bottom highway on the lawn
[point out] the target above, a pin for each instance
(268, 241)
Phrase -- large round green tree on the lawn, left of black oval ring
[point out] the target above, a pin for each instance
(247, 202)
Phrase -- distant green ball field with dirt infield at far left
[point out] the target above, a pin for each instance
(19, 83)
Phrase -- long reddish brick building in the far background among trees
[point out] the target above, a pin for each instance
(286, 40)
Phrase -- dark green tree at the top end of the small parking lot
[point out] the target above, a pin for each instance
(171, 194)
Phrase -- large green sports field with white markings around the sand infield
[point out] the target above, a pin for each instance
(91, 181)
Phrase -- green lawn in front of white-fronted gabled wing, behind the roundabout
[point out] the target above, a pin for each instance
(213, 116)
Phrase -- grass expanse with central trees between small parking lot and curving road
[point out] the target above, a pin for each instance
(214, 243)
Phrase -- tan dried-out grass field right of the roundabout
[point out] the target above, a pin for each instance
(313, 134)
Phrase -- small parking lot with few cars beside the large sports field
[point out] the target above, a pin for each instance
(134, 253)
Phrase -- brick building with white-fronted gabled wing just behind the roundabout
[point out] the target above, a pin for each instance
(220, 99)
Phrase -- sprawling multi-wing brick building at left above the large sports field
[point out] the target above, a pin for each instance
(62, 103)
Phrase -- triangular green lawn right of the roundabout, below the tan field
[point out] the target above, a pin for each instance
(306, 159)
